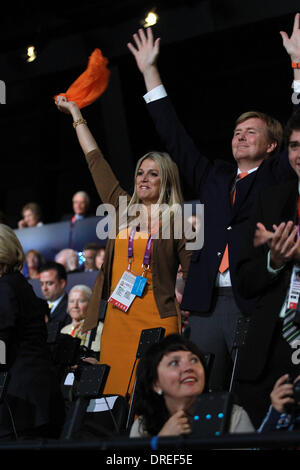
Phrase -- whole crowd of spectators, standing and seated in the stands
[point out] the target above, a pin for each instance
(247, 268)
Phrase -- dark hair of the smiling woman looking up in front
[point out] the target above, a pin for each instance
(148, 403)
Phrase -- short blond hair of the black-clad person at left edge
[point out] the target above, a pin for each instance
(11, 252)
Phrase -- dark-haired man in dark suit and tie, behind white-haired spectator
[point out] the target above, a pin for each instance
(53, 280)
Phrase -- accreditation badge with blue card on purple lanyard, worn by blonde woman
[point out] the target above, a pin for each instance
(130, 285)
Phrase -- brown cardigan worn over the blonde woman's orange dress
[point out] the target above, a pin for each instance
(165, 259)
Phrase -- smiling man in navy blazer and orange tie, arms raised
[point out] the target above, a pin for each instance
(212, 297)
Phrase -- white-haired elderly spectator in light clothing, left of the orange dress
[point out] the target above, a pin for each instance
(78, 301)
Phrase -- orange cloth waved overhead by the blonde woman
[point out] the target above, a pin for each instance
(91, 83)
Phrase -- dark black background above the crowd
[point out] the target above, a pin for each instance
(218, 59)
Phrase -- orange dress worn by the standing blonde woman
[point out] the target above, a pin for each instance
(121, 331)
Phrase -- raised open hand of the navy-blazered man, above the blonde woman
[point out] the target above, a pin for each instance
(146, 52)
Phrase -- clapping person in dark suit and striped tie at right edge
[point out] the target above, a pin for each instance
(267, 273)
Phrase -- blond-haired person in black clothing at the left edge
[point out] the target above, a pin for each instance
(33, 395)
